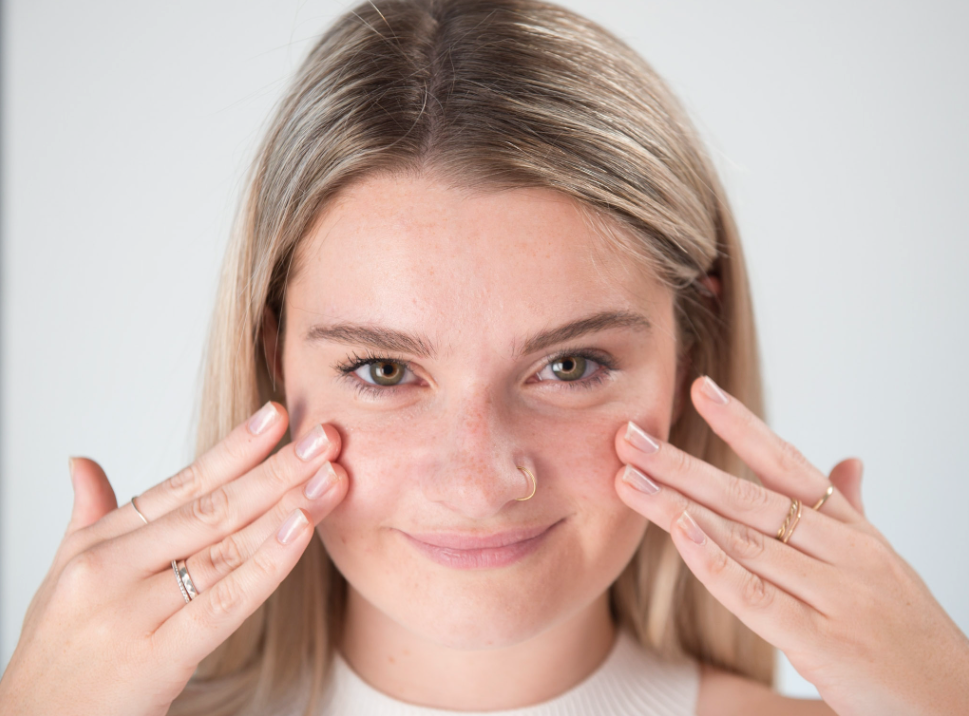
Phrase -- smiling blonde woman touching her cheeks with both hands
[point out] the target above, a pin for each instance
(486, 280)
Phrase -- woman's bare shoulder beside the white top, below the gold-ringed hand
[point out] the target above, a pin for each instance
(726, 694)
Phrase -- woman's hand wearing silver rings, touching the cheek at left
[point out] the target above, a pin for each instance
(109, 632)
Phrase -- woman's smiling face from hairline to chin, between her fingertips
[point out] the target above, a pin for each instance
(501, 334)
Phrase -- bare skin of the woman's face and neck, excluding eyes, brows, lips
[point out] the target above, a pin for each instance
(441, 453)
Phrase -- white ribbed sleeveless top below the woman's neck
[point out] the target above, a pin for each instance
(631, 681)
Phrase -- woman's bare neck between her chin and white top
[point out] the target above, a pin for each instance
(409, 668)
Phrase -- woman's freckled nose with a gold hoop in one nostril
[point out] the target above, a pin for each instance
(476, 473)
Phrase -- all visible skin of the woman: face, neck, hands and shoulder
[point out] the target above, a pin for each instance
(440, 454)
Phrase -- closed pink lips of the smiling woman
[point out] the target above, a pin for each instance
(463, 550)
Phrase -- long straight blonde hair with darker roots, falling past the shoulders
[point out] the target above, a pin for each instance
(491, 94)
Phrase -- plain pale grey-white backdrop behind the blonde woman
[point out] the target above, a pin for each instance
(839, 127)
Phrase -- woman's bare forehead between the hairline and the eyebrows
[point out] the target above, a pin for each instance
(412, 251)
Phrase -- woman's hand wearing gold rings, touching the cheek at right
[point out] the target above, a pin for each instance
(851, 615)
